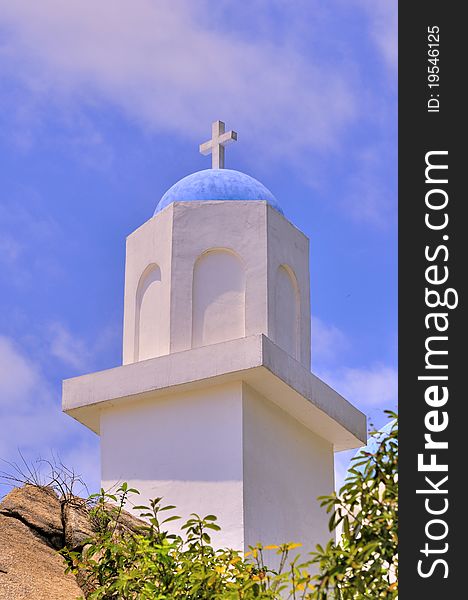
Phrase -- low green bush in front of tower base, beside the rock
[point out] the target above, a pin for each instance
(154, 564)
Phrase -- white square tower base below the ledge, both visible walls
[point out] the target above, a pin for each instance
(227, 451)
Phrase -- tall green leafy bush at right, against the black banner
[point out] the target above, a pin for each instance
(364, 561)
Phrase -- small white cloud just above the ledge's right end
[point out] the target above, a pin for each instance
(367, 388)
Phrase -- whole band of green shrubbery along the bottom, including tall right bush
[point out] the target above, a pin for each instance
(152, 564)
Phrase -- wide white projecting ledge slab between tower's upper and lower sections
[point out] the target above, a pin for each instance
(255, 360)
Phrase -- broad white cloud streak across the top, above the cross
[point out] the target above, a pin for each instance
(165, 67)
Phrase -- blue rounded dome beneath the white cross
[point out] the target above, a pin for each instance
(217, 184)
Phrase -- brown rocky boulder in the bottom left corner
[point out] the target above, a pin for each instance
(34, 525)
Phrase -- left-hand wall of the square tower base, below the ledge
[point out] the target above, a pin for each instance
(185, 447)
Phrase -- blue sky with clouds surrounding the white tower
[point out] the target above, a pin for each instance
(103, 106)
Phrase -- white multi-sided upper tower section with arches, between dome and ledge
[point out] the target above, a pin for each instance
(188, 240)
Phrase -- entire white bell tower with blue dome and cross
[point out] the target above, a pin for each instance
(215, 407)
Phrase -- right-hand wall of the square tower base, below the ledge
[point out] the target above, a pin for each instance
(286, 467)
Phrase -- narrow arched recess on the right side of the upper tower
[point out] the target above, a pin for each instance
(287, 310)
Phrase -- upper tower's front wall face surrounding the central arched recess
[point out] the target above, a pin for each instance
(201, 227)
